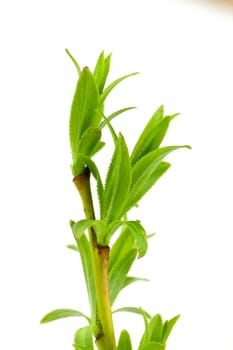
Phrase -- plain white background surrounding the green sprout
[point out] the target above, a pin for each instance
(184, 52)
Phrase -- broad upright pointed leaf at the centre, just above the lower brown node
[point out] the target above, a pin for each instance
(117, 183)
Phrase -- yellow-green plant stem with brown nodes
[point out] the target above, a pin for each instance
(105, 339)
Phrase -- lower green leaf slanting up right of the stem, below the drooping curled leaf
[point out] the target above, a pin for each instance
(118, 273)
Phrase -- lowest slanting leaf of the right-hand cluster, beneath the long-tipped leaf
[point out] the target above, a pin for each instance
(155, 175)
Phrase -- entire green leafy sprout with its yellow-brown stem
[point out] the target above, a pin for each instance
(108, 245)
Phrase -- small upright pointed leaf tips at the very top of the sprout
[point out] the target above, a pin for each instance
(101, 71)
